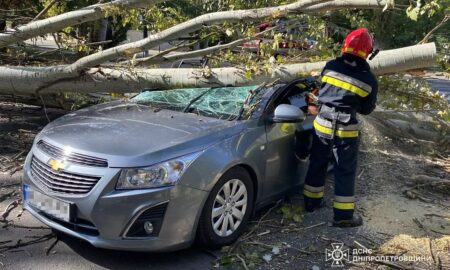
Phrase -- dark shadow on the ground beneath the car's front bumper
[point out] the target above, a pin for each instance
(192, 258)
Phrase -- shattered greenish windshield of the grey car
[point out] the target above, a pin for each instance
(221, 102)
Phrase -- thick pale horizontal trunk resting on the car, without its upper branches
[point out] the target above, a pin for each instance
(29, 79)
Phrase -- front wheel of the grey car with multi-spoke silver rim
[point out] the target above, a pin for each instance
(215, 232)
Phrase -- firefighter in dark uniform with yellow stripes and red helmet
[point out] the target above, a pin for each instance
(347, 87)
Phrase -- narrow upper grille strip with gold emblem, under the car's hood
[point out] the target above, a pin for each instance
(58, 153)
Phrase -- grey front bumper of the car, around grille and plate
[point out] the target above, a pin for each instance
(104, 216)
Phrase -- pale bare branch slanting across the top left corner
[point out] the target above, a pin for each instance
(56, 23)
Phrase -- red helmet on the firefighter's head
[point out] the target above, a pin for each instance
(359, 42)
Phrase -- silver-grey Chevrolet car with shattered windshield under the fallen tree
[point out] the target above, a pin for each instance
(165, 168)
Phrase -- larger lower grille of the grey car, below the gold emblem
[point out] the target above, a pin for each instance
(60, 181)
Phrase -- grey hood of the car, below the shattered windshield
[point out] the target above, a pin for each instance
(131, 135)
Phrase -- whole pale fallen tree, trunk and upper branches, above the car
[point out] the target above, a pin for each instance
(96, 73)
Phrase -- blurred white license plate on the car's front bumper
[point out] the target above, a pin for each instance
(51, 206)
